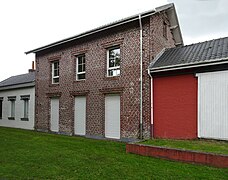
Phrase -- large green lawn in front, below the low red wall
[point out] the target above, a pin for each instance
(32, 155)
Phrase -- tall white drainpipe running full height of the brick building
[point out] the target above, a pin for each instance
(141, 82)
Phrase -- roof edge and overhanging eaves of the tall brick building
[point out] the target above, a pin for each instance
(169, 8)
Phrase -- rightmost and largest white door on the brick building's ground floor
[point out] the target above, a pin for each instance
(112, 116)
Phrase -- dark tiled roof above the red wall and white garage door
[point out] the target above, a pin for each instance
(199, 54)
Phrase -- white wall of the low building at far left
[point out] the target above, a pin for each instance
(19, 108)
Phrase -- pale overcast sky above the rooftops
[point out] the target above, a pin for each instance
(29, 24)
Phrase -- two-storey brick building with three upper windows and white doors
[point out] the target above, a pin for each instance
(90, 84)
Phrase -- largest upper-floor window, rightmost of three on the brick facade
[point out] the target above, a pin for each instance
(113, 62)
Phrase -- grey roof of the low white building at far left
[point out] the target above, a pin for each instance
(19, 79)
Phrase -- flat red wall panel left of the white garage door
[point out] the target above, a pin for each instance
(175, 107)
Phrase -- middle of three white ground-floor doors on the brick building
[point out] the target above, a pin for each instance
(80, 115)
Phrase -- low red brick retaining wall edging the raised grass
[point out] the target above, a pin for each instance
(179, 155)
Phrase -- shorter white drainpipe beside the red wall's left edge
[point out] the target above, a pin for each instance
(151, 106)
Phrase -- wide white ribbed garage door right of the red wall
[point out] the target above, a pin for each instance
(213, 105)
